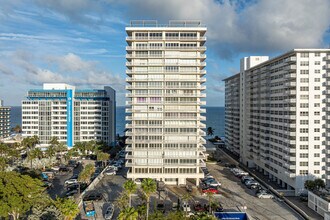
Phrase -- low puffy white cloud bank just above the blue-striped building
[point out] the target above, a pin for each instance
(70, 68)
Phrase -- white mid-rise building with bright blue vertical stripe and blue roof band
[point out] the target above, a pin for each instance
(72, 115)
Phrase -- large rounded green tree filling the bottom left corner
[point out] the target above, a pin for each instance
(18, 193)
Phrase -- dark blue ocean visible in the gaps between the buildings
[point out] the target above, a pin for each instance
(215, 118)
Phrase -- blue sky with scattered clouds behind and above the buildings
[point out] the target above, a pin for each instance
(82, 42)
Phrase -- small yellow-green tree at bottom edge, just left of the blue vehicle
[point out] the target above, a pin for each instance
(67, 207)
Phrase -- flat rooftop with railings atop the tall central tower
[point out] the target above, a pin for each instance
(171, 23)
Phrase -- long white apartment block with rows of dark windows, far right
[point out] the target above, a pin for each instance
(284, 116)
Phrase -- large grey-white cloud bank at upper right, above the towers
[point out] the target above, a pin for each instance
(243, 26)
